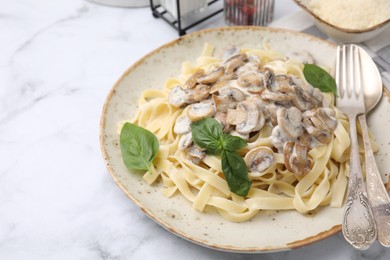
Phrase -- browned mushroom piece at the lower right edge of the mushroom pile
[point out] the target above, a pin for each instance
(295, 158)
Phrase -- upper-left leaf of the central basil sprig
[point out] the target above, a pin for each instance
(207, 134)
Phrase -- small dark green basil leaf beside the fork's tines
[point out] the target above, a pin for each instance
(319, 78)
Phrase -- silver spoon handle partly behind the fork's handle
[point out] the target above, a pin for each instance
(377, 194)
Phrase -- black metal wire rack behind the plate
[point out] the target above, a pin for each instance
(159, 11)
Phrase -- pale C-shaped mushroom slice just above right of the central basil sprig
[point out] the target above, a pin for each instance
(252, 116)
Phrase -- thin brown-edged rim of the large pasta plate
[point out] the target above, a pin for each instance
(229, 248)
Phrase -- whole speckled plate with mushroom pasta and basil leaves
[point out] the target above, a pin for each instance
(220, 138)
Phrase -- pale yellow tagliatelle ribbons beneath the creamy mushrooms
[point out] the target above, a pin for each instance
(275, 188)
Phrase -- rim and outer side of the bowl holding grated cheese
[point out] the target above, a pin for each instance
(344, 35)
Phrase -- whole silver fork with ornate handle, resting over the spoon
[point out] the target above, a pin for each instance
(358, 224)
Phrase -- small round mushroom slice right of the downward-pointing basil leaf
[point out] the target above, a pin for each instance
(259, 159)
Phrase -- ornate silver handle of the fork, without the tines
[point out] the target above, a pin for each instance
(358, 222)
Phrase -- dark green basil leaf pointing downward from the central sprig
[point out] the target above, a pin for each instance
(236, 173)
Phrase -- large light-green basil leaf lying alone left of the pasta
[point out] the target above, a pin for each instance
(138, 146)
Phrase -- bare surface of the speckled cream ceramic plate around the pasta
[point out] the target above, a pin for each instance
(269, 230)
